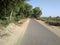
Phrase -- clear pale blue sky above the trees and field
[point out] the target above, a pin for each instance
(48, 7)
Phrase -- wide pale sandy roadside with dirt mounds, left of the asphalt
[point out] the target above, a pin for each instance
(12, 32)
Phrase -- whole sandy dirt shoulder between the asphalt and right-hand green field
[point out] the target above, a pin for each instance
(54, 29)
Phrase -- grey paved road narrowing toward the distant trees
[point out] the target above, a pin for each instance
(36, 34)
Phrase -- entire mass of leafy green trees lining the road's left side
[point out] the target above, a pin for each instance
(15, 10)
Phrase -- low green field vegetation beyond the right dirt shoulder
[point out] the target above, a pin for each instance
(52, 20)
